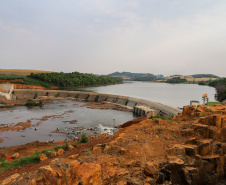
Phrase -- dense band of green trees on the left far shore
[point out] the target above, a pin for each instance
(73, 79)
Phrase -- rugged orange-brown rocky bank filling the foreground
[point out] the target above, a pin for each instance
(190, 148)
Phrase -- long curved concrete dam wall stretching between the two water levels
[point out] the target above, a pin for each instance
(95, 97)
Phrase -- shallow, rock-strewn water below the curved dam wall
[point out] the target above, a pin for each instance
(60, 120)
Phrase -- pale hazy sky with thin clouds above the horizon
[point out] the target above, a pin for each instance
(103, 36)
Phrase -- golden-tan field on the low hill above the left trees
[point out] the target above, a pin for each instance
(22, 72)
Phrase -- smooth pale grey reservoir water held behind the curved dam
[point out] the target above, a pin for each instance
(176, 95)
